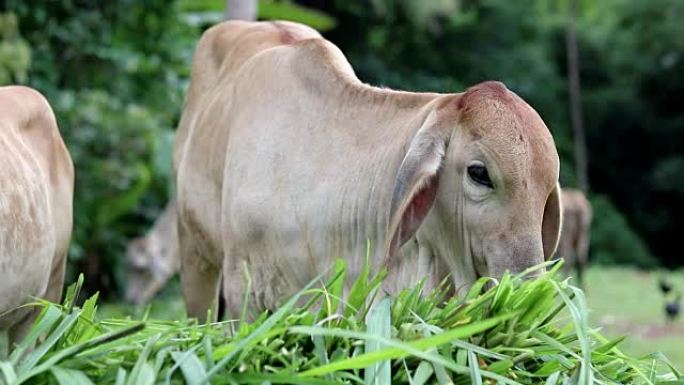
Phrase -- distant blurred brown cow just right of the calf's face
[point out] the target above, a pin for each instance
(574, 242)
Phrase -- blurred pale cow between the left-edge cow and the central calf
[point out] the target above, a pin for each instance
(153, 259)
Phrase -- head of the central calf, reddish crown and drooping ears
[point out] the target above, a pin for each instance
(480, 180)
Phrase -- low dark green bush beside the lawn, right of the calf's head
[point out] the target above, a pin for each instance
(613, 241)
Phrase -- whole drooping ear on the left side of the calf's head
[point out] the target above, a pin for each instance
(415, 188)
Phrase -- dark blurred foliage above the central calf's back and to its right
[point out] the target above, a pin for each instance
(632, 71)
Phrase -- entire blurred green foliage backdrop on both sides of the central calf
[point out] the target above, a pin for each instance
(115, 73)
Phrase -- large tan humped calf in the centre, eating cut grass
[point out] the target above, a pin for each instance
(284, 160)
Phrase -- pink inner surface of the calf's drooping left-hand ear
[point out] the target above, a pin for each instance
(414, 214)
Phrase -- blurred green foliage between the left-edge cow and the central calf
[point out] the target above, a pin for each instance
(115, 74)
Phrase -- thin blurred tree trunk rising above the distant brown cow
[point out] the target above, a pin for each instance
(575, 100)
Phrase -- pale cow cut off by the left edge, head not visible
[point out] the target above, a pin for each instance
(36, 194)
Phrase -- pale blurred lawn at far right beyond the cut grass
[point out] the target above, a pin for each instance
(625, 301)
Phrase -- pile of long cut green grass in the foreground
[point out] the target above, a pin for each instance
(518, 332)
